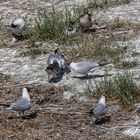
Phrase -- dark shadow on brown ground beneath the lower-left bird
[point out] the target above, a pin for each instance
(25, 117)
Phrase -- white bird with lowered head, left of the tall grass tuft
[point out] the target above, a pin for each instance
(18, 25)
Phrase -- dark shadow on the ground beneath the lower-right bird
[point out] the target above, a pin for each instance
(102, 120)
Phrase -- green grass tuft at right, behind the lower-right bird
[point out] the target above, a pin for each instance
(122, 87)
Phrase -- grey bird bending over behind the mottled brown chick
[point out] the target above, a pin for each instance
(56, 57)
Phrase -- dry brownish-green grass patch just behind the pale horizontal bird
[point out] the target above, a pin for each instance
(103, 49)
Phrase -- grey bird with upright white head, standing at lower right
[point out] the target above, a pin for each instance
(99, 110)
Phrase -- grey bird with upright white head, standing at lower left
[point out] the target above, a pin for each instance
(21, 104)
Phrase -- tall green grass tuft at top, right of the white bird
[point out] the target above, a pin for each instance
(51, 25)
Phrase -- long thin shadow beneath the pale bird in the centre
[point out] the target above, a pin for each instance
(91, 76)
